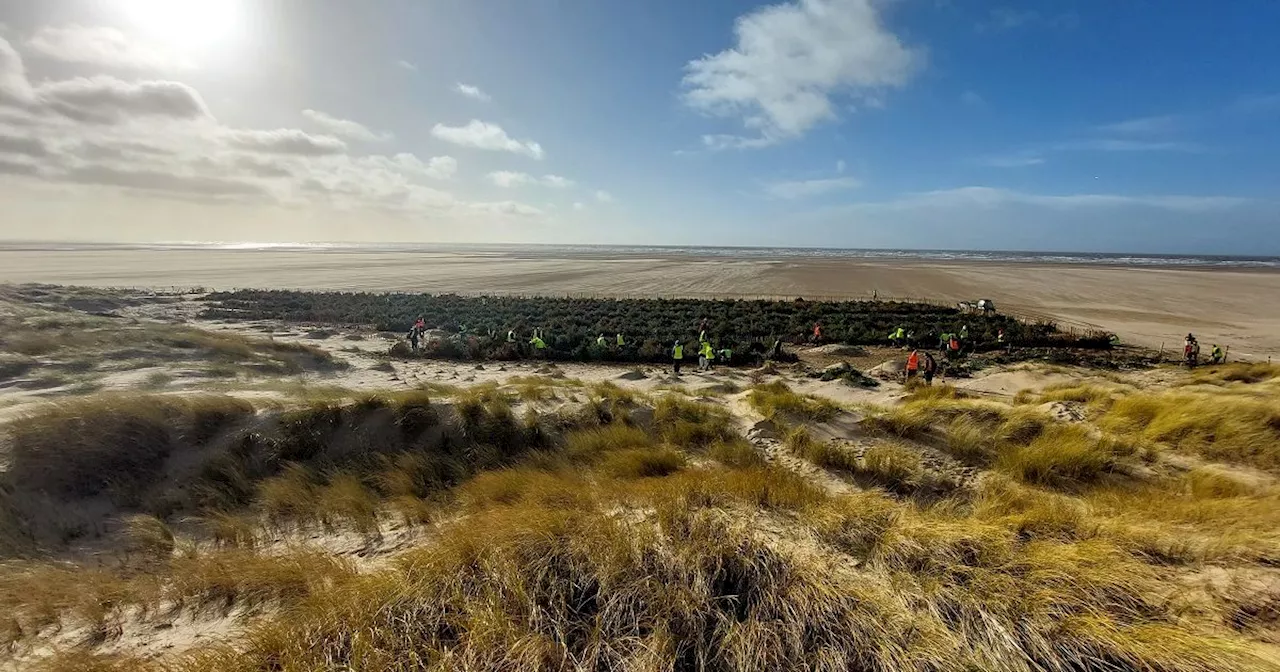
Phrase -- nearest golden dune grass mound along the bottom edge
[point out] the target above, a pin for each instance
(533, 583)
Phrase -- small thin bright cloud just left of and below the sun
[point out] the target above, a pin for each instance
(102, 47)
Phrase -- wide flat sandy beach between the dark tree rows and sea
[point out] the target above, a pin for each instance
(1150, 307)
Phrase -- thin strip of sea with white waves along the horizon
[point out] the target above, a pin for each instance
(1101, 259)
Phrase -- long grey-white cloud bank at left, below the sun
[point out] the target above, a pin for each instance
(157, 140)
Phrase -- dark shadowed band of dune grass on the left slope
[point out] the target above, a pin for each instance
(328, 461)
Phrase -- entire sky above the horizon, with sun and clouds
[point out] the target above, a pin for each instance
(1137, 126)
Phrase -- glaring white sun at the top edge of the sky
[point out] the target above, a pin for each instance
(191, 24)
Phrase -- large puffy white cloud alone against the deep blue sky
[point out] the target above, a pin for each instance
(790, 61)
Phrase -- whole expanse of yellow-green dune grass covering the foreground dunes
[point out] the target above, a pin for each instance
(598, 542)
